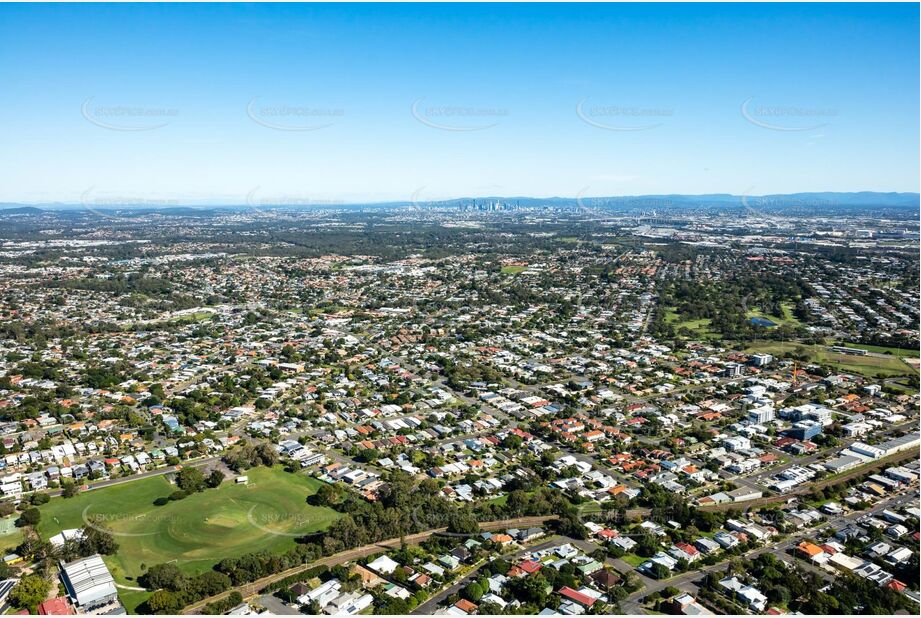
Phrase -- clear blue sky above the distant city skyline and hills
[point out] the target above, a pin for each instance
(301, 103)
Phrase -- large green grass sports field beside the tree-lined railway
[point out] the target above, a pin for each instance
(197, 532)
